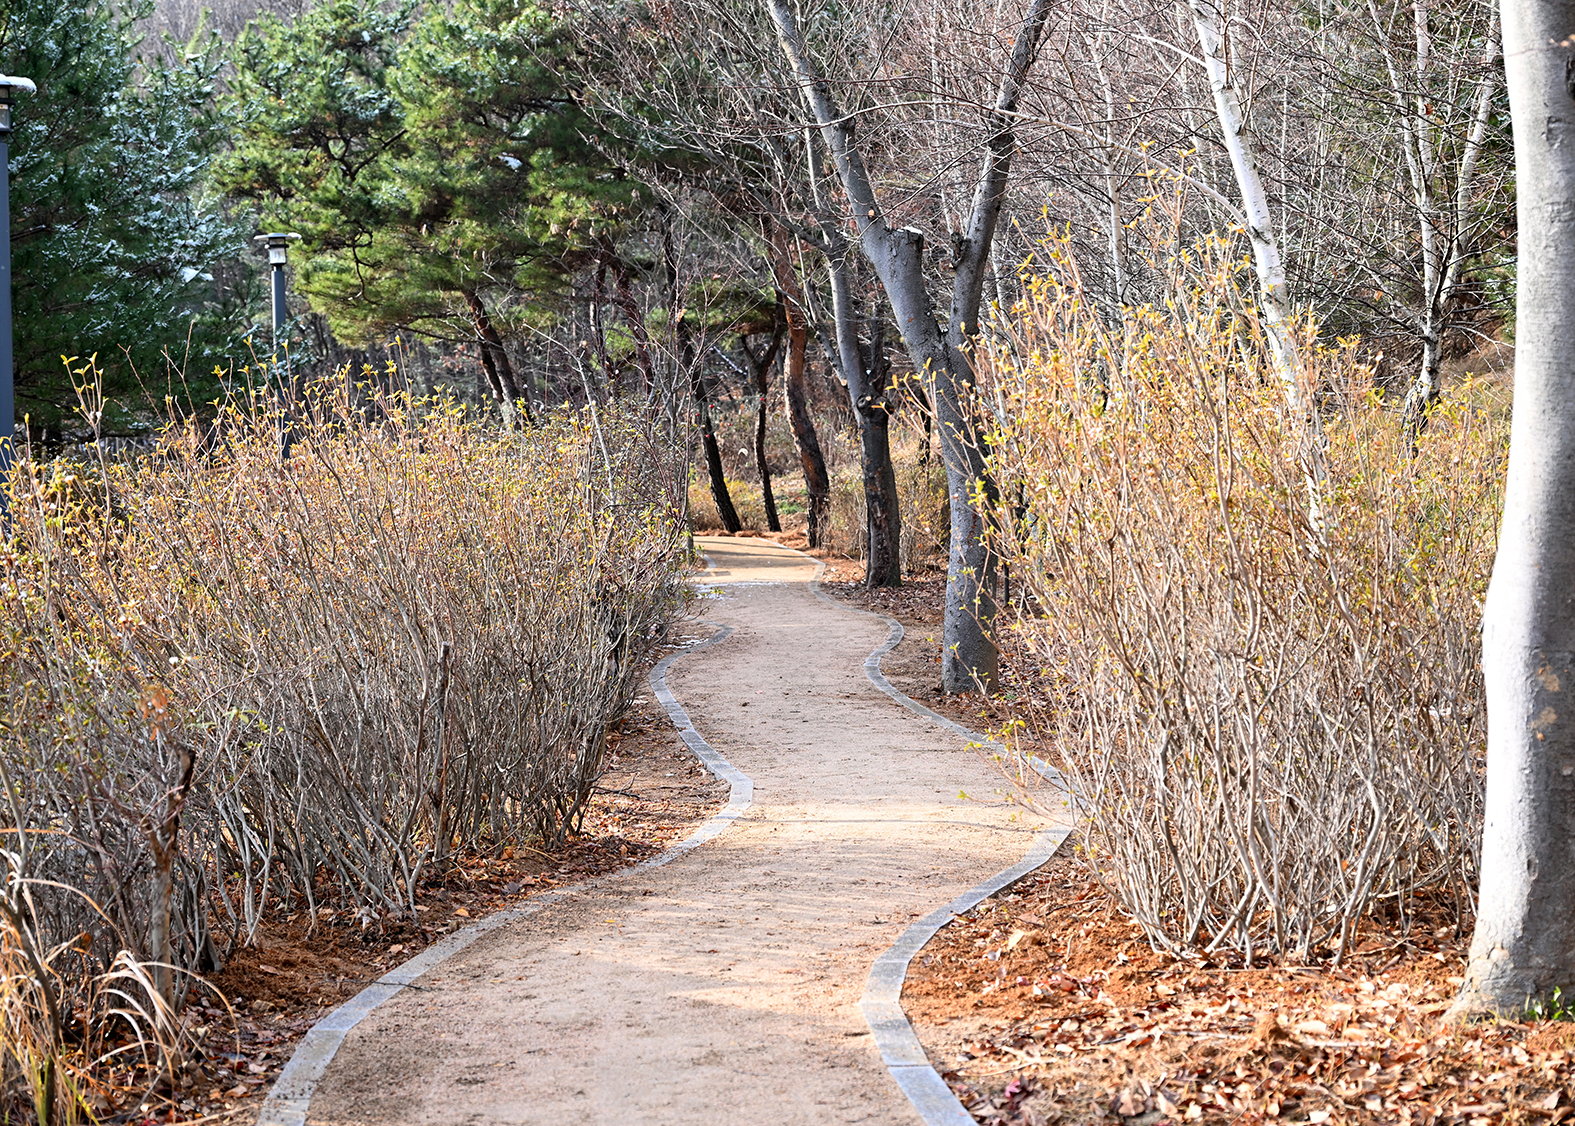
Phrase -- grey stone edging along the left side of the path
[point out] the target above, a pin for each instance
(291, 1098)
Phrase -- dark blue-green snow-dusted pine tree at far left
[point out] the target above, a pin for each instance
(114, 243)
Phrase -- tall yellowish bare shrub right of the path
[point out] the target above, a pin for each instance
(1272, 730)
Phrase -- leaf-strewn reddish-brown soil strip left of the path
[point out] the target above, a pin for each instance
(300, 968)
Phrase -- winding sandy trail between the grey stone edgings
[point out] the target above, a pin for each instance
(725, 987)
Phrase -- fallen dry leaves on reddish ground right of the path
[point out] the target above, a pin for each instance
(1045, 1006)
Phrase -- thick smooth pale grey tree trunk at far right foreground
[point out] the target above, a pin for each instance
(1524, 949)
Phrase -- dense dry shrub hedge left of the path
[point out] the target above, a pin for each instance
(239, 680)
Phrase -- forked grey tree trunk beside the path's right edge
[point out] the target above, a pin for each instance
(939, 355)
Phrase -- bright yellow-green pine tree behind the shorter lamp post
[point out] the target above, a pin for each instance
(437, 168)
